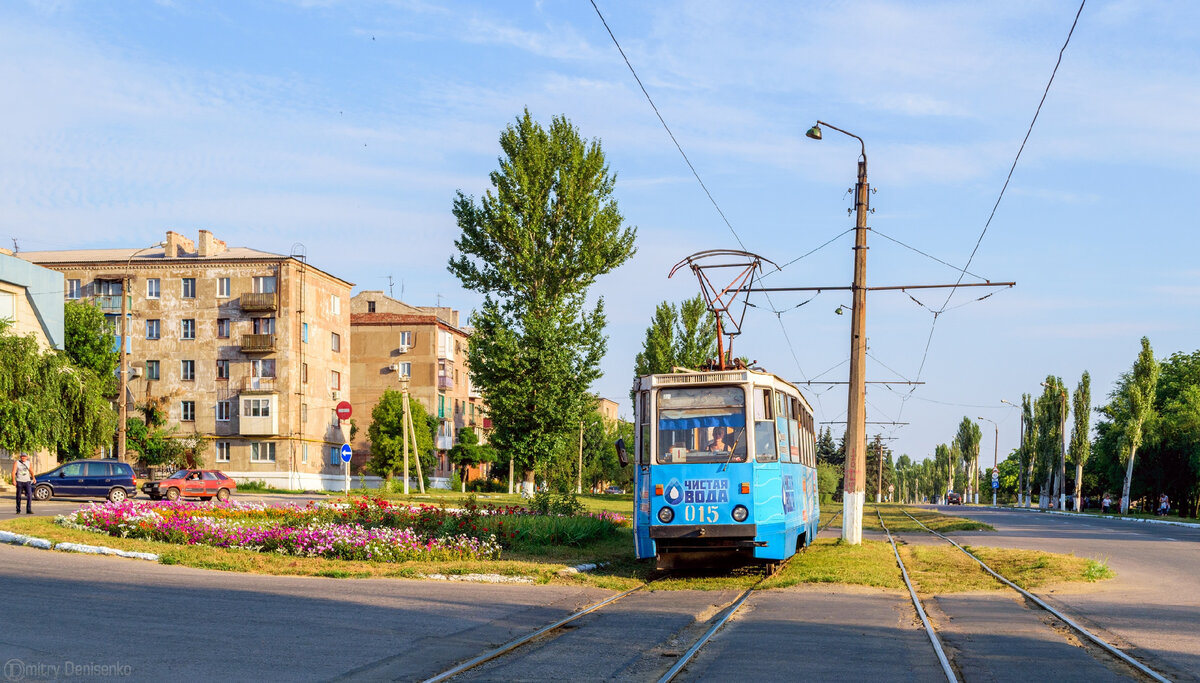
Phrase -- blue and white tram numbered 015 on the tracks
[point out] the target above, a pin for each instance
(725, 469)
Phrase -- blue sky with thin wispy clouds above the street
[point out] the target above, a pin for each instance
(349, 127)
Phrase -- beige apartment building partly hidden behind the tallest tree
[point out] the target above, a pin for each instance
(428, 345)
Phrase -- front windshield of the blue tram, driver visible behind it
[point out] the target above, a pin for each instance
(703, 424)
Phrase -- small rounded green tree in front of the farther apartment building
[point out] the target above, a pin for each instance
(388, 434)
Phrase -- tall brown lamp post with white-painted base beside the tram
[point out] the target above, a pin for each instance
(855, 490)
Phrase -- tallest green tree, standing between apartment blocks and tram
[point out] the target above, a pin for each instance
(533, 245)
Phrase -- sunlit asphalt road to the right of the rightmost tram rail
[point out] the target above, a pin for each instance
(1151, 609)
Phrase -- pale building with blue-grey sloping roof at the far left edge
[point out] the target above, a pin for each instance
(29, 298)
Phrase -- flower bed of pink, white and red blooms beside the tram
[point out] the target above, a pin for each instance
(371, 530)
